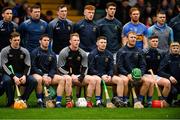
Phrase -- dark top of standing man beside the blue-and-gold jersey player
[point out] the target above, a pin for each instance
(112, 30)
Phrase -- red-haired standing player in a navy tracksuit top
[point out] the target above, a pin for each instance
(87, 29)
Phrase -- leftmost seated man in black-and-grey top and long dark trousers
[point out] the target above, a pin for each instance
(19, 58)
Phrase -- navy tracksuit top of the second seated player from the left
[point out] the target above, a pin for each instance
(43, 62)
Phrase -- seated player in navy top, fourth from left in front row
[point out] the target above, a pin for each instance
(100, 66)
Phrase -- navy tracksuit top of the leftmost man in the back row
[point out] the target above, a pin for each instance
(6, 28)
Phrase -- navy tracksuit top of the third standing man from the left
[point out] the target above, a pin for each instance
(60, 31)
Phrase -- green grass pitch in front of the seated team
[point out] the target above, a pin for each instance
(85, 113)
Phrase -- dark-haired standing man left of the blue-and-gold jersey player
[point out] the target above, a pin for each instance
(111, 28)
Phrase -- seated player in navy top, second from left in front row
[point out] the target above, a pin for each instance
(44, 70)
